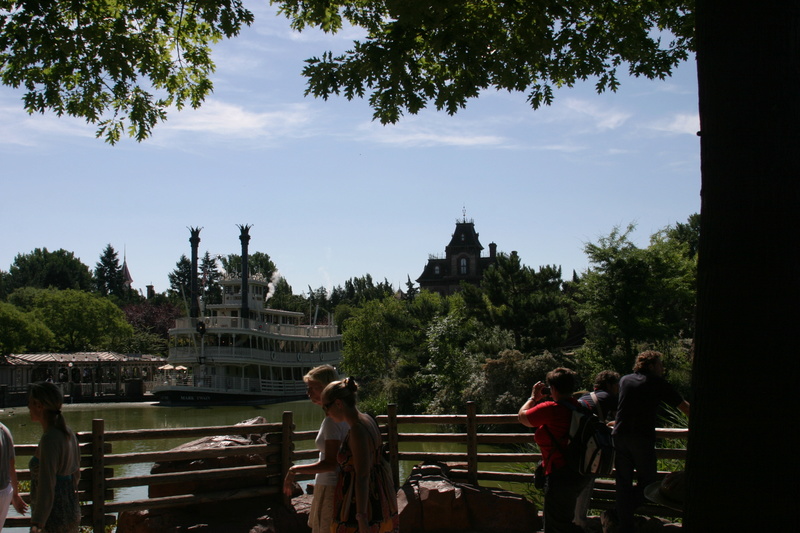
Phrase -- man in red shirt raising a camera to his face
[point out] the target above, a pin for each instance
(551, 421)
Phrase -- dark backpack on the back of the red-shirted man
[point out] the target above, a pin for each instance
(590, 451)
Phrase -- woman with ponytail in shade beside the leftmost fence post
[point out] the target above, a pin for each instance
(55, 466)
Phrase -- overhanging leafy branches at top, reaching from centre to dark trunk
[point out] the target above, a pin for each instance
(445, 53)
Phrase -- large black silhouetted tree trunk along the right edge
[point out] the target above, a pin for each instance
(742, 464)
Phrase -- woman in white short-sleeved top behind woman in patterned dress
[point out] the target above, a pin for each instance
(330, 437)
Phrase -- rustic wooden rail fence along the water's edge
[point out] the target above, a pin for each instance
(283, 446)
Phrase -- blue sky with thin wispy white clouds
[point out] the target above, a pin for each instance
(332, 194)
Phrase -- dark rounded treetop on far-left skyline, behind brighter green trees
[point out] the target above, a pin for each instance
(43, 269)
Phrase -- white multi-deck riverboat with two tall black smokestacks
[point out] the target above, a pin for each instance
(242, 351)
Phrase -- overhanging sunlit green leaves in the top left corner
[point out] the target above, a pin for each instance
(118, 64)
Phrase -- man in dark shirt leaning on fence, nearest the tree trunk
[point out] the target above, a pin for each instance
(640, 396)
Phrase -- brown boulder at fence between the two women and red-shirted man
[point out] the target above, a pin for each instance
(430, 501)
